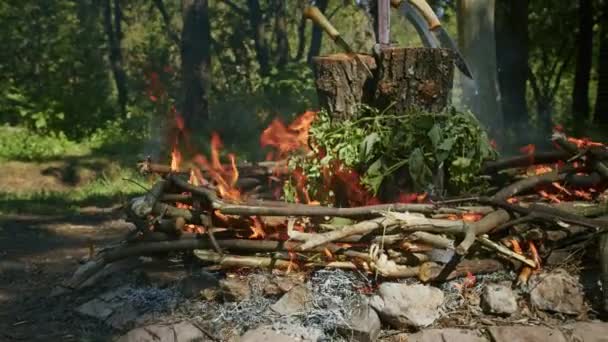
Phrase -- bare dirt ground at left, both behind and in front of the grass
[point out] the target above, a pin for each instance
(37, 252)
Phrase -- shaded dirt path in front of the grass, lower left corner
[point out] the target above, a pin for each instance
(37, 253)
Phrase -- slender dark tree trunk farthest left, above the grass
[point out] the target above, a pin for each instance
(114, 34)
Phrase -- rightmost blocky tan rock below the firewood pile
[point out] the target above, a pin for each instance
(557, 292)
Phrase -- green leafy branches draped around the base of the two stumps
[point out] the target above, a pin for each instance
(382, 145)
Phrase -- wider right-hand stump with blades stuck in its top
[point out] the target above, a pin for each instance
(414, 78)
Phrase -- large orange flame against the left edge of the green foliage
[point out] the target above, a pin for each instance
(288, 138)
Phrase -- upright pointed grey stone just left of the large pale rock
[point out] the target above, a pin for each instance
(363, 325)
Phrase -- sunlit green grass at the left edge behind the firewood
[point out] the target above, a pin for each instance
(106, 153)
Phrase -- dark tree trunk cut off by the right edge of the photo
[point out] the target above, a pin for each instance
(601, 102)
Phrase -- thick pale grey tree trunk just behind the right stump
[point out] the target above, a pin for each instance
(477, 43)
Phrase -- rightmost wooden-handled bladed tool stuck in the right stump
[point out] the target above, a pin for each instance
(426, 22)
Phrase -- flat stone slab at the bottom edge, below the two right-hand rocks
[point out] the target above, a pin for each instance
(525, 334)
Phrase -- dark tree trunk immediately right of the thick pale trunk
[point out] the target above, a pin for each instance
(512, 60)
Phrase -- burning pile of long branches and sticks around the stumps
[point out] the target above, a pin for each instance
(540, 202)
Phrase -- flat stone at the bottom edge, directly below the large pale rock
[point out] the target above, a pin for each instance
(440, 335)
